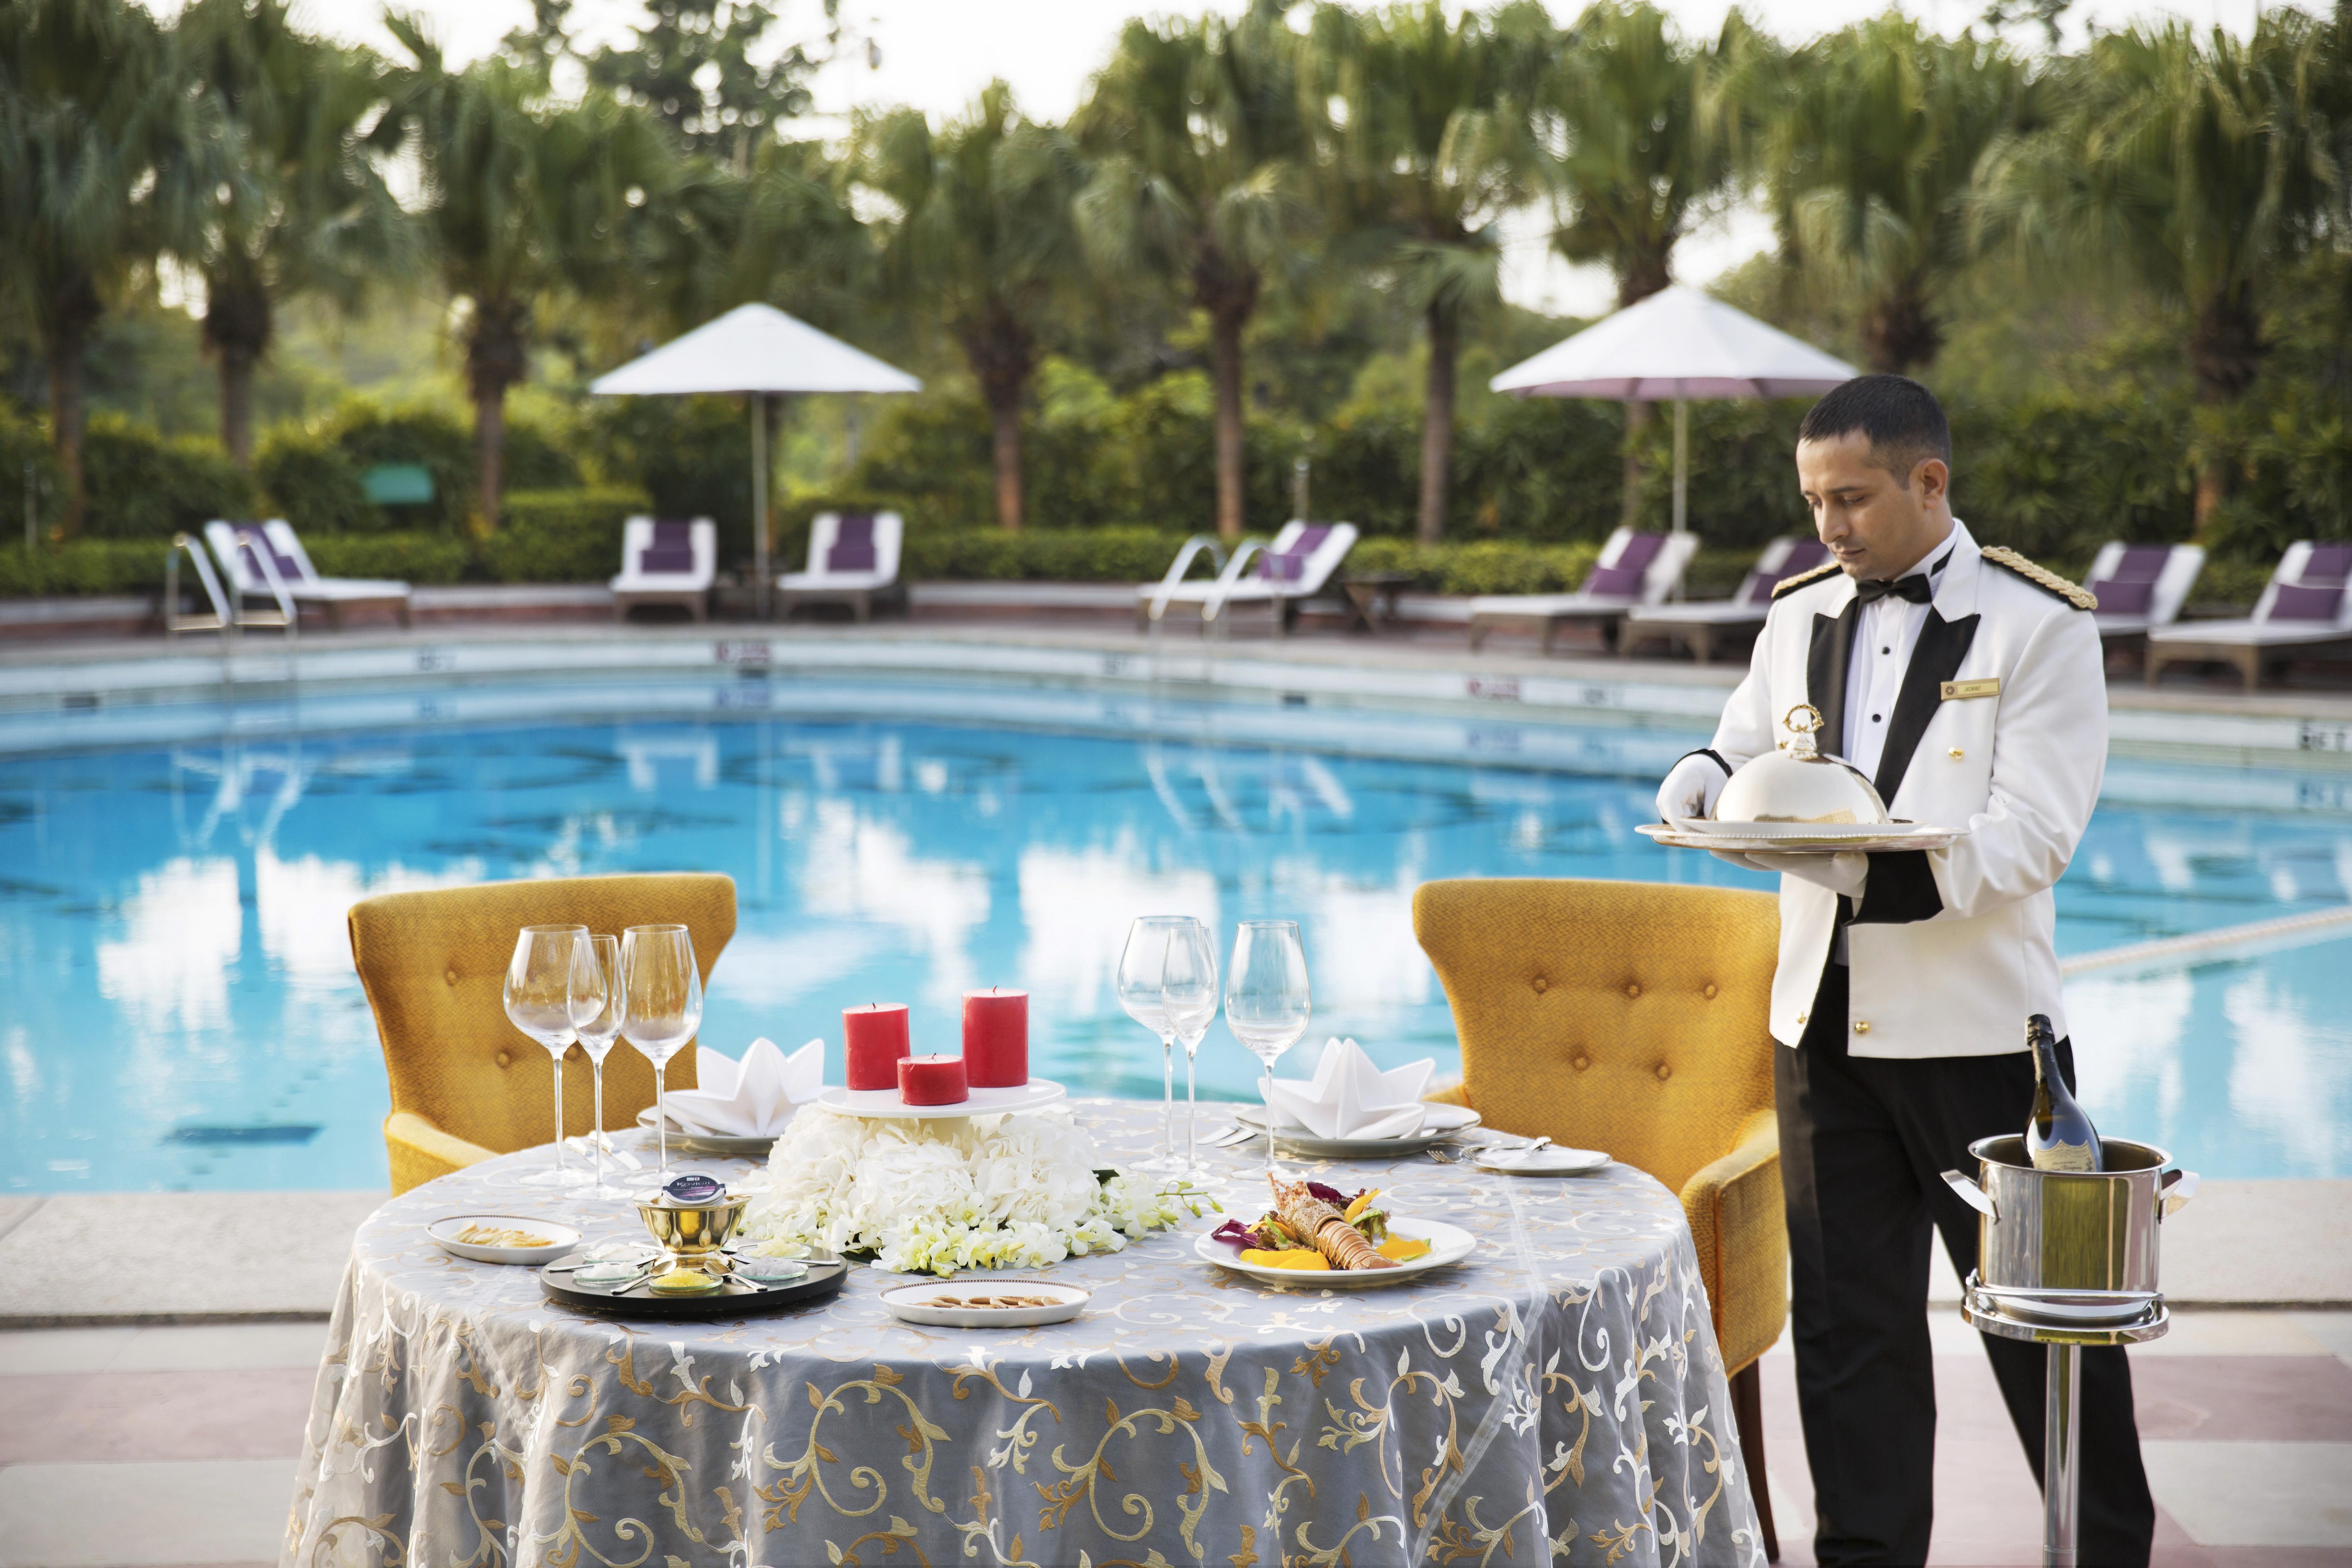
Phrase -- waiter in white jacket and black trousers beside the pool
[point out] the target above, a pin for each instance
(1970, 688)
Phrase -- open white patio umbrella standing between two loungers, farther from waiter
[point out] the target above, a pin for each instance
(756, 351)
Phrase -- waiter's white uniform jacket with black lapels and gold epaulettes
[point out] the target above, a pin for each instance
(2003, 730)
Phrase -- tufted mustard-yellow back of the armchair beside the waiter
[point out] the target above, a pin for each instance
(1624, 1017)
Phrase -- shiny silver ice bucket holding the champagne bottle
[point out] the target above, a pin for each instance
(2071, 1247)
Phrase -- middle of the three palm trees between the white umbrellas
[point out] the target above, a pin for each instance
(1198, 140)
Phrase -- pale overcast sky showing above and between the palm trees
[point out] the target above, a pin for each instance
(940, 53)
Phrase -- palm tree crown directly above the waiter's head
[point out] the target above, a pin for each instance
(1871, 149)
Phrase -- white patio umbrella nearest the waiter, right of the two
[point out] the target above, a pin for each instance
(1673, 347)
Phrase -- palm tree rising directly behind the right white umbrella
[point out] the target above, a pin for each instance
(1636, 142)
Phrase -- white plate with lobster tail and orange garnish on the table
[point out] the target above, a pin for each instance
(1325, 1238)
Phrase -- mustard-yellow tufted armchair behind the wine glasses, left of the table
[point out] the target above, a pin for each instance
(467, 1085)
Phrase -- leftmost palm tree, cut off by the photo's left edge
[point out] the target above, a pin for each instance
(100, 166)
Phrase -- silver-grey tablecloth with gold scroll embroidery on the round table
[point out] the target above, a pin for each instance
(1558, 1398)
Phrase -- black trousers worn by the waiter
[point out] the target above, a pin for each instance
(1864, 1144)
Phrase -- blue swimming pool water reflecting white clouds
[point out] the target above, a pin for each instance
(173, 939)
